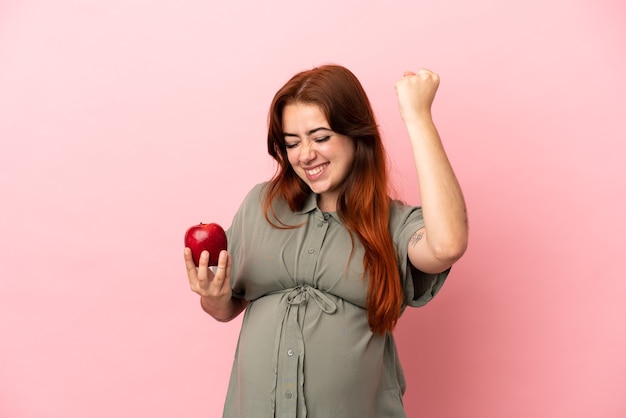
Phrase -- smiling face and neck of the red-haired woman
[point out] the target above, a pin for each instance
(319, 156)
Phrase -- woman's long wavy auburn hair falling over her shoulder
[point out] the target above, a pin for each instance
(364, 203)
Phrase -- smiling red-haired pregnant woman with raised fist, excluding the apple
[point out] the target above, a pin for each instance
(323, 261)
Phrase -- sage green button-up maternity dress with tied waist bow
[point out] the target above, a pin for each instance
(305, 348)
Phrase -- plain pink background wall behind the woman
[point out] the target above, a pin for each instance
(123, 122)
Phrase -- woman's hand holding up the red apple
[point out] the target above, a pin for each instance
(213, 287)
